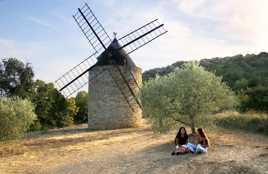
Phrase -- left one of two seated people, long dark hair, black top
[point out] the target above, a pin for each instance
(181, 140)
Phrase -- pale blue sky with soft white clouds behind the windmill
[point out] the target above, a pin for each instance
(44, 33)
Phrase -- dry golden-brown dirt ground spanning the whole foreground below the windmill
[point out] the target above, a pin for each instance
(134, 151)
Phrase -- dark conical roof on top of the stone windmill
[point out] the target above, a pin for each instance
(114, 55)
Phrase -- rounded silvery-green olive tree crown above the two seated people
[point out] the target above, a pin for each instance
(185, 96)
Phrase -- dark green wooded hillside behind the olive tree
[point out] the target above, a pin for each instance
(246, 75)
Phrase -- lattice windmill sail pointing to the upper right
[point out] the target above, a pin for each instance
(141, 36)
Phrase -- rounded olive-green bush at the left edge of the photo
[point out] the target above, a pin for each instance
(16, 117)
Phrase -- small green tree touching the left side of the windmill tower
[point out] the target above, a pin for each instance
(81, 101)
